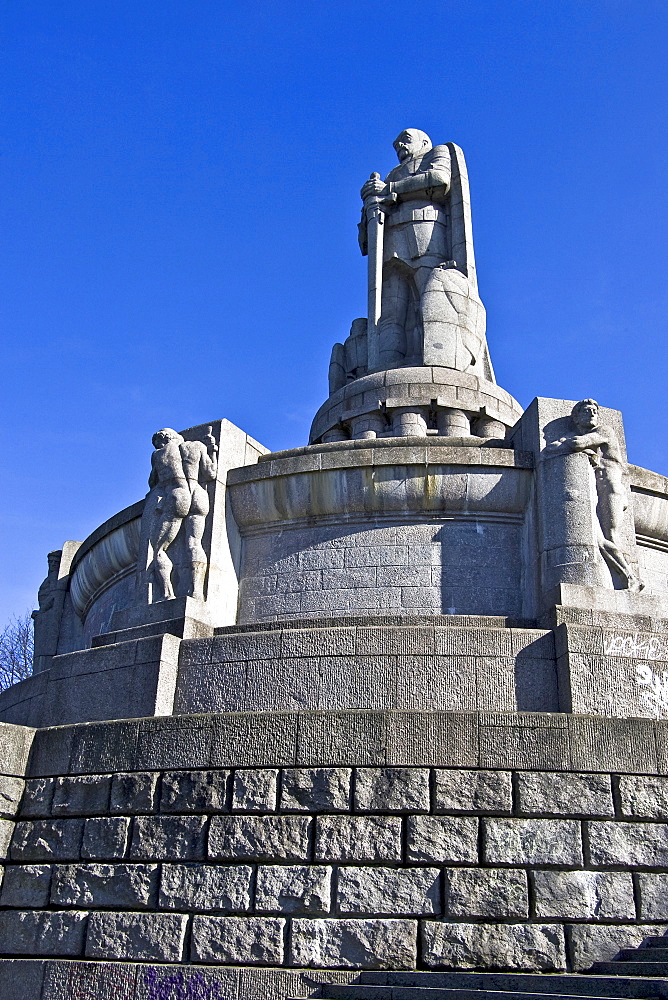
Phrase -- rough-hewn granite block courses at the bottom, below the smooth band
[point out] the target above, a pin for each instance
(338, 867)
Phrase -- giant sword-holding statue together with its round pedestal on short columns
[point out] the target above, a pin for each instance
(424, 310)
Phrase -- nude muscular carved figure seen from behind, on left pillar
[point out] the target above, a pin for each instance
(179, 471)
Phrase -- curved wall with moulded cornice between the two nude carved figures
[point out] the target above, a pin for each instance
(394, 527)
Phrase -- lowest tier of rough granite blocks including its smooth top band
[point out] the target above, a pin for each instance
(323, 840)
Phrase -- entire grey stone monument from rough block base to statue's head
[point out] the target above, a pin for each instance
(387, 710)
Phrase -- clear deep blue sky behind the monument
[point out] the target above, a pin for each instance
(179, 205)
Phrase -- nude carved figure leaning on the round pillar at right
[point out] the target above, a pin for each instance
(599, 443)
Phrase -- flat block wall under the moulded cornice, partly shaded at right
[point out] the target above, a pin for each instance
(458, 566)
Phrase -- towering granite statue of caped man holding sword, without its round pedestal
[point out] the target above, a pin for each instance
(416, 230)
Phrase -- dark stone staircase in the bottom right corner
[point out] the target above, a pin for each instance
(625, 978)
